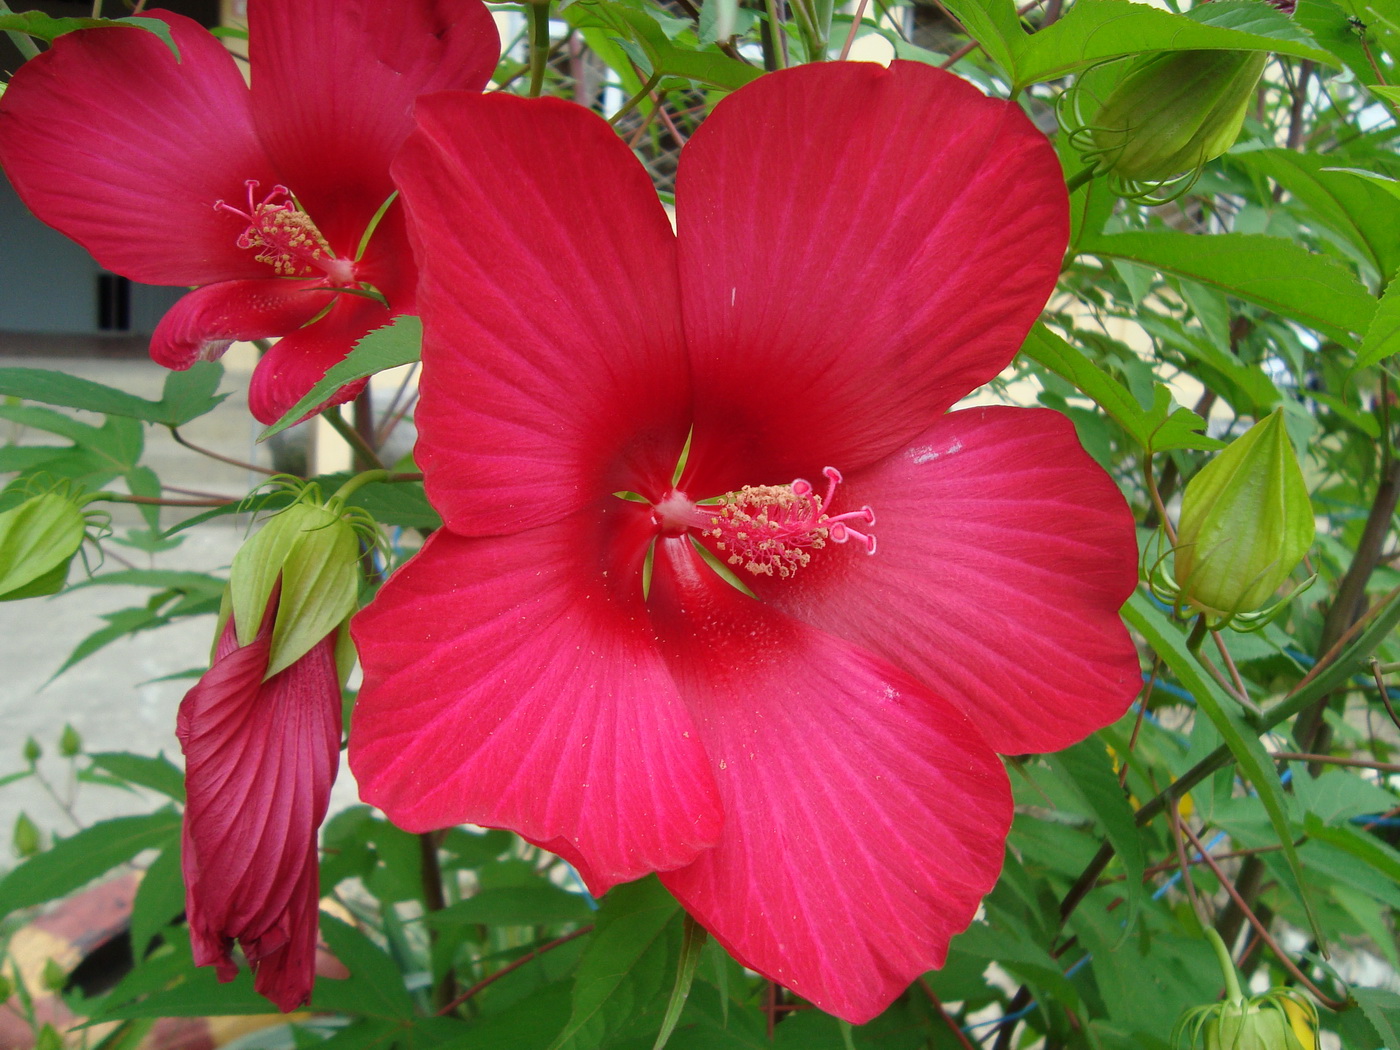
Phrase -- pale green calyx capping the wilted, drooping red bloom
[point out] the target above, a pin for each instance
(313, 548)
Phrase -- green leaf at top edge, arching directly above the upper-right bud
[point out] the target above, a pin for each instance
(1094, 31)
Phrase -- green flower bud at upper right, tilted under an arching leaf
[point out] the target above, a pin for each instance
(1174, 113)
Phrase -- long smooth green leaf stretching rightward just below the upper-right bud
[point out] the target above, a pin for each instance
(1268, 271)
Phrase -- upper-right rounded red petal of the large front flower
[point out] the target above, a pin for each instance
(859, 248)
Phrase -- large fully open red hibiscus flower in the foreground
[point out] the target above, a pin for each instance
(811, 766)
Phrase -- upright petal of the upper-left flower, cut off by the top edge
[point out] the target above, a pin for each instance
(334, 85)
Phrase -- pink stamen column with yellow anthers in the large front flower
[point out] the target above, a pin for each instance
(768, 528)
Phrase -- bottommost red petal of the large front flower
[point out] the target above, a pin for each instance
(864, 818)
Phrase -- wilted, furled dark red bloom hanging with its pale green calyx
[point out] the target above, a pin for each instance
(261, 734)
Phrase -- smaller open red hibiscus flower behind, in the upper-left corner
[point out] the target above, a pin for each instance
(268, 199)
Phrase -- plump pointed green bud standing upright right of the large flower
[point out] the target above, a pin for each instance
(1247, 523)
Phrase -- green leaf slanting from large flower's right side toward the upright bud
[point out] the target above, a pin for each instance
(1158, 430)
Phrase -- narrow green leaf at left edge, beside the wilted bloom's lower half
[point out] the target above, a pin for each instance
(73, 863)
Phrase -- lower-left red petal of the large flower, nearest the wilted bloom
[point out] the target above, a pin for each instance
(513, 682)
